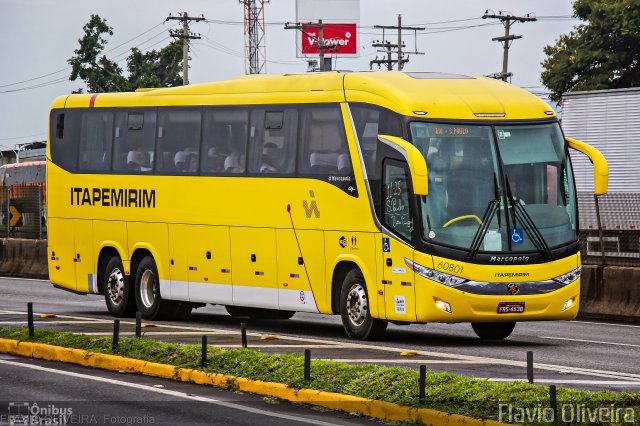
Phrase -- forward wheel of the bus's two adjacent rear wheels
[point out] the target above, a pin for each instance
(148, 299)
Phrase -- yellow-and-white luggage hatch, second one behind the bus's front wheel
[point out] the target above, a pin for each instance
(254, 274)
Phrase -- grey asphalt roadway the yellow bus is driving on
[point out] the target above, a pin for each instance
(583, 354)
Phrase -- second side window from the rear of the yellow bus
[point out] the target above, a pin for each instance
(96, 138)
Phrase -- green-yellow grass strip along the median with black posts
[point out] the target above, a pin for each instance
(445, 392)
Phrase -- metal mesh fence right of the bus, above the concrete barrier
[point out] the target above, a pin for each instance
(610, 229)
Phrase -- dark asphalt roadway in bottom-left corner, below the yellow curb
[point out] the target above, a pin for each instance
(41, 392)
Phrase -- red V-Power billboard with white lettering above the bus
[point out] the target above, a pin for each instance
(340, 37)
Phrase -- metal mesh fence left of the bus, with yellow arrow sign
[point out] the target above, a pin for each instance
(23, 212)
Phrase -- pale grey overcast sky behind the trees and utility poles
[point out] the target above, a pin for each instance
(37, 37)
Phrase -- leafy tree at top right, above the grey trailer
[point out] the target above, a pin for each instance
(603, 53)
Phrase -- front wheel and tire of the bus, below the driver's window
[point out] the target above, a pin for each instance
(354, 309)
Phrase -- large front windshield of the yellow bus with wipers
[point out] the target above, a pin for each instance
(496, 188)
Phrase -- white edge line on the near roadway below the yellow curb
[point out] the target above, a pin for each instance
(168, 392)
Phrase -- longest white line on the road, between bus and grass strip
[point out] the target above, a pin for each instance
(353, 345)
